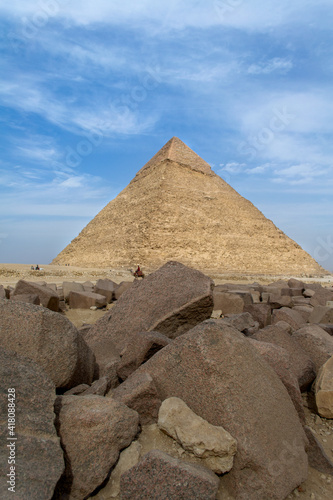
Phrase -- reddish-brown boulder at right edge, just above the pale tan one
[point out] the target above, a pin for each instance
(317, 343)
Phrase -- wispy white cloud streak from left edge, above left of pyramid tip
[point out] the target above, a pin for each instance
(108, 118)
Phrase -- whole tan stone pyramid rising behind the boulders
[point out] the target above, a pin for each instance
(177, 208)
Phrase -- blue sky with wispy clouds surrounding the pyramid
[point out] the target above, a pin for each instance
(91, 90)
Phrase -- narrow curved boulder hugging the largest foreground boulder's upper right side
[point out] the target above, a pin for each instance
(301, 364)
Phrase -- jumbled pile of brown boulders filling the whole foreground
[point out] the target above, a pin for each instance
(181, 390)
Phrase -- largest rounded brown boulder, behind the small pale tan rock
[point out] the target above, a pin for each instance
(217, 372)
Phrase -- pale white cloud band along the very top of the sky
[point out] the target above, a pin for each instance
(170, 15)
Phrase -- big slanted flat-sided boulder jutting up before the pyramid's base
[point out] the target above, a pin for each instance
(171, 301)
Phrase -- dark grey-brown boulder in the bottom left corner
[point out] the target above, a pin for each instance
(39, 460)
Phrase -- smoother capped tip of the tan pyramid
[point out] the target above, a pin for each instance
(176, 150)
